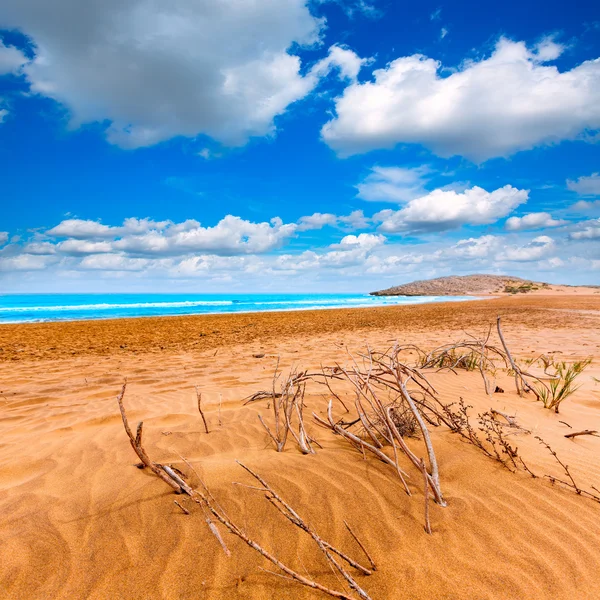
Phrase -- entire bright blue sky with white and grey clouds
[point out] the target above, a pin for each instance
(296, 146)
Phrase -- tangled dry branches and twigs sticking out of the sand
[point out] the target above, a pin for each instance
(387, 409)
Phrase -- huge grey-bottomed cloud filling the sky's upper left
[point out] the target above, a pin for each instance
(155, 70)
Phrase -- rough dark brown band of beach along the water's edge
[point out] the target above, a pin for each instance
(196, 333)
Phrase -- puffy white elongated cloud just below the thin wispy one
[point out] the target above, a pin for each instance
(447, 209)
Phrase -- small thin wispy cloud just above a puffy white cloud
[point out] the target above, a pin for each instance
(393, 184)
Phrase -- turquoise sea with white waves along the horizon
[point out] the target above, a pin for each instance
(27, 308)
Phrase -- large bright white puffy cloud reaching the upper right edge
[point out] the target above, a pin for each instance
(486, 108)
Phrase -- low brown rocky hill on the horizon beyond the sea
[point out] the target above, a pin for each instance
(465, 285)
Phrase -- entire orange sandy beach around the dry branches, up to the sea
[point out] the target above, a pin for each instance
(80, 521)
